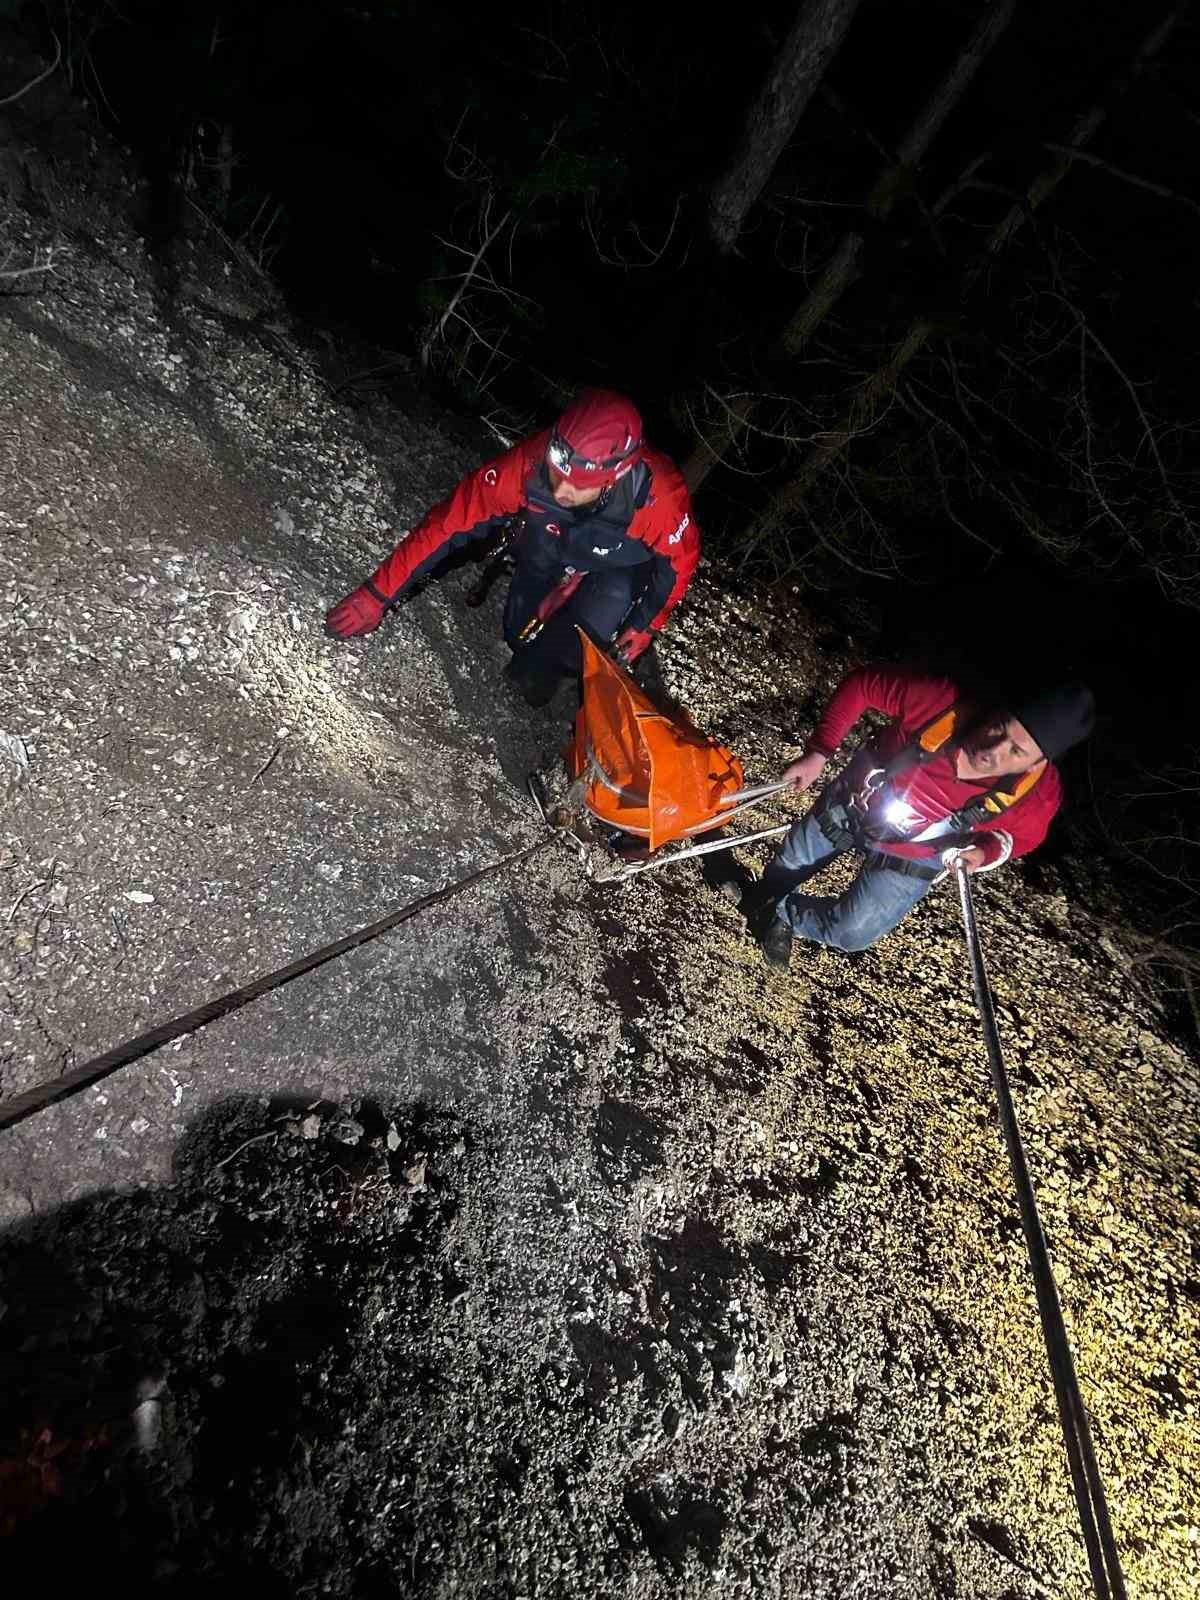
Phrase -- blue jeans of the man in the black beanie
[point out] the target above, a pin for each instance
(874, 903)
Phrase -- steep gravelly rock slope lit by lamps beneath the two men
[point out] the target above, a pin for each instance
(553, 1246)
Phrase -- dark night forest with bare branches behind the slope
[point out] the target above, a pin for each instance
(906, 286)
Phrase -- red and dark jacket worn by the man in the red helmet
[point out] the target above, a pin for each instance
(662, 534)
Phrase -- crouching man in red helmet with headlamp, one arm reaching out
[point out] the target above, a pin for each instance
(606, 540)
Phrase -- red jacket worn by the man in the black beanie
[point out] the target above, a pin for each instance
(932, 791)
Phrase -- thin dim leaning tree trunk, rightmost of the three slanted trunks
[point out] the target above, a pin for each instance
(871, 396)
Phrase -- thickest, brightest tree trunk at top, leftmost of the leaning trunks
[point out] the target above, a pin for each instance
(772, 119)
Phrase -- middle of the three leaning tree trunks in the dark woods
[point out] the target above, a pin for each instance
(844, 266)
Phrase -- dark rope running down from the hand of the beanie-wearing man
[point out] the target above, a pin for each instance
(1086, 1476)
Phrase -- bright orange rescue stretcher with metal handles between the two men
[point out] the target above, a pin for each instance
(644, 775)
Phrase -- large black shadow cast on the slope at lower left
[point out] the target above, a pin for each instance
(194, 1382)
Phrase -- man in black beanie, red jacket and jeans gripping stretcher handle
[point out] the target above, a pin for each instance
(946, 778)
